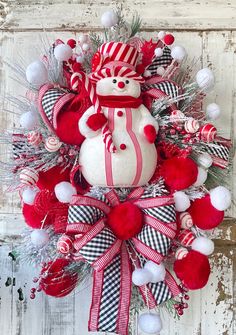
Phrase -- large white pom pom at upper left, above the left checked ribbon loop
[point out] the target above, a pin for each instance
(36, 73)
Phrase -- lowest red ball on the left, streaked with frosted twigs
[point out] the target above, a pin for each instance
(55, 280)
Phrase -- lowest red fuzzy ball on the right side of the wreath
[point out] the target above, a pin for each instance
(193, 270)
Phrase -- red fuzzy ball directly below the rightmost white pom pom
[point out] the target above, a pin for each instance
(204, 215)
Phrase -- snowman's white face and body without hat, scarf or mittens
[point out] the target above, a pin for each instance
(135, 159)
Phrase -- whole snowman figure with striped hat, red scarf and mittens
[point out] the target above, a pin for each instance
(132, 126)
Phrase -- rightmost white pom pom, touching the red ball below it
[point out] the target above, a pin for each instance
(220, 198)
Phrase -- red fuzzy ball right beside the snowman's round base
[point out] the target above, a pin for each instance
(179, 173)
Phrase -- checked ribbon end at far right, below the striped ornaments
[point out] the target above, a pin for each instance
(219, 151)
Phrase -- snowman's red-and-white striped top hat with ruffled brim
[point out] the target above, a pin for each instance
(115, 59)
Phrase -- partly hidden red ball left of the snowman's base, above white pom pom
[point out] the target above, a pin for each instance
(50, 178)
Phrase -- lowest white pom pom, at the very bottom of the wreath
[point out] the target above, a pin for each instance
(150, 323)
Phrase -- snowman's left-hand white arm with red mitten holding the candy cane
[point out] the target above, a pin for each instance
(90, 123)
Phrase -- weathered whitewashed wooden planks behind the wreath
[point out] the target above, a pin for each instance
(207, 29)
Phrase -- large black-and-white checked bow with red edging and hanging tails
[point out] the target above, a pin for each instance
(96, 243)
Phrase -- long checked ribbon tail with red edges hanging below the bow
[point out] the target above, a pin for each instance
(111, 296)
